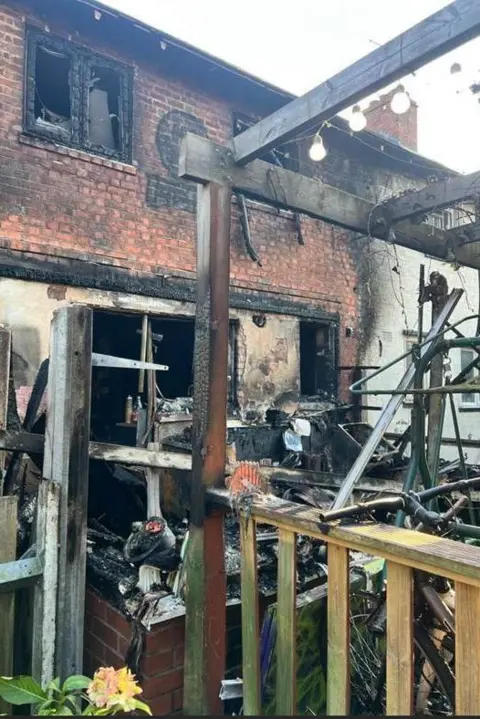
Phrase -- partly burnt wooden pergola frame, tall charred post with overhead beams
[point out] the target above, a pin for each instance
(219, 170)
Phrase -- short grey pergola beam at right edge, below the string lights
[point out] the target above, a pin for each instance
(430, 198)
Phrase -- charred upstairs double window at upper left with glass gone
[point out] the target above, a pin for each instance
(67, 117)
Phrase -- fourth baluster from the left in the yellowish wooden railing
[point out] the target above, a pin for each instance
(399, 639)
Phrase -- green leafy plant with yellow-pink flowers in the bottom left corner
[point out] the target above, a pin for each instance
(109, 692)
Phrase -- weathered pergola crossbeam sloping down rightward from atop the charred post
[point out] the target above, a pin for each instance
(203, 161)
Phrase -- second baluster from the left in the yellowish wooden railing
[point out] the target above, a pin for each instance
(286, 624)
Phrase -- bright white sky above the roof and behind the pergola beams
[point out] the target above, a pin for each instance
(297, 45)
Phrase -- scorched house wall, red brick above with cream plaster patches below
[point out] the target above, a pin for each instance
(69, 205)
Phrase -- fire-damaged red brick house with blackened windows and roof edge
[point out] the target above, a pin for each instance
(93, 106)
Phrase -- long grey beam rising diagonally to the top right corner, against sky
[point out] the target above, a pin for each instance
(443, 31)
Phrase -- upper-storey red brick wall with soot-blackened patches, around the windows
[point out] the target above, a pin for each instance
(68, 203)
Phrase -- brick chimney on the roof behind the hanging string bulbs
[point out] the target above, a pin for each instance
(382, 120)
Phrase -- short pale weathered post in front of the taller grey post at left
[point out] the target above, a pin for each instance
(45, 592)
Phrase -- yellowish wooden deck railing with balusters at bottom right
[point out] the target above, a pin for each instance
(404, 551)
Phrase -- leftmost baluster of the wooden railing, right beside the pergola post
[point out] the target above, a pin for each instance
(252, 704)
